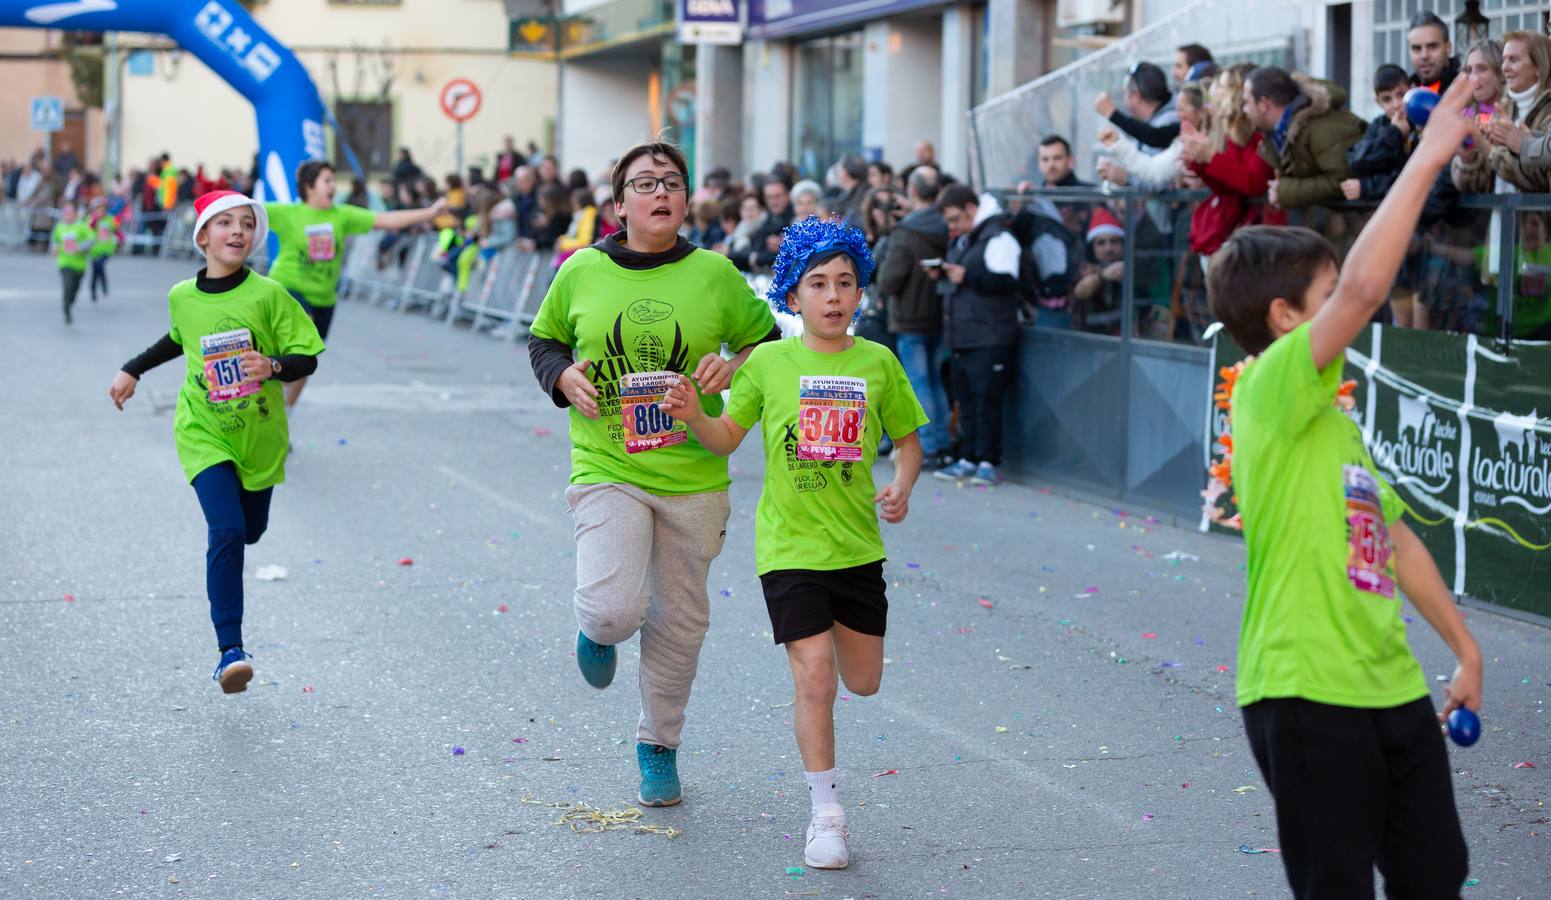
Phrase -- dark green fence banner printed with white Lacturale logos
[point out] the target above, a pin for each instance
(1459, 429)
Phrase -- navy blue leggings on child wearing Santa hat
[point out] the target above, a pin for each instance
(237, 517)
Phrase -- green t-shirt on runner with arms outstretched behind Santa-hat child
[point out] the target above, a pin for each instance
(313, 246)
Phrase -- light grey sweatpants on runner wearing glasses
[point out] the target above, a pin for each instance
(641, 567)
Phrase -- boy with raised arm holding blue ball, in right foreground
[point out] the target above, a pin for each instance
(1336, 707)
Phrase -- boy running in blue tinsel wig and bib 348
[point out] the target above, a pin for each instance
(826, 400)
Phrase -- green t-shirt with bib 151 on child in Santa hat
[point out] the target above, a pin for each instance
(219, 417)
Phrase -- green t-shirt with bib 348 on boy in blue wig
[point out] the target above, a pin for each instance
(823, 417)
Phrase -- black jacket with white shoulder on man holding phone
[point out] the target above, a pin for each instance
(983, 313)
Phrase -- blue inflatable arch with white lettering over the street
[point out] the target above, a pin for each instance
(226, 38)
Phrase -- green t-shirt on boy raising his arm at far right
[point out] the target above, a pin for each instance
(1322, 614)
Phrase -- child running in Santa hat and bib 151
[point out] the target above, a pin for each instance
(241, 334)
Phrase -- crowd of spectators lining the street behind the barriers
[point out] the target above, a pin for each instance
(959, 271)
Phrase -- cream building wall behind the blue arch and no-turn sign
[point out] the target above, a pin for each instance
(447, 40)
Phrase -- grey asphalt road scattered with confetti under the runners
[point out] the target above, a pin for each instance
(1057, 716)
